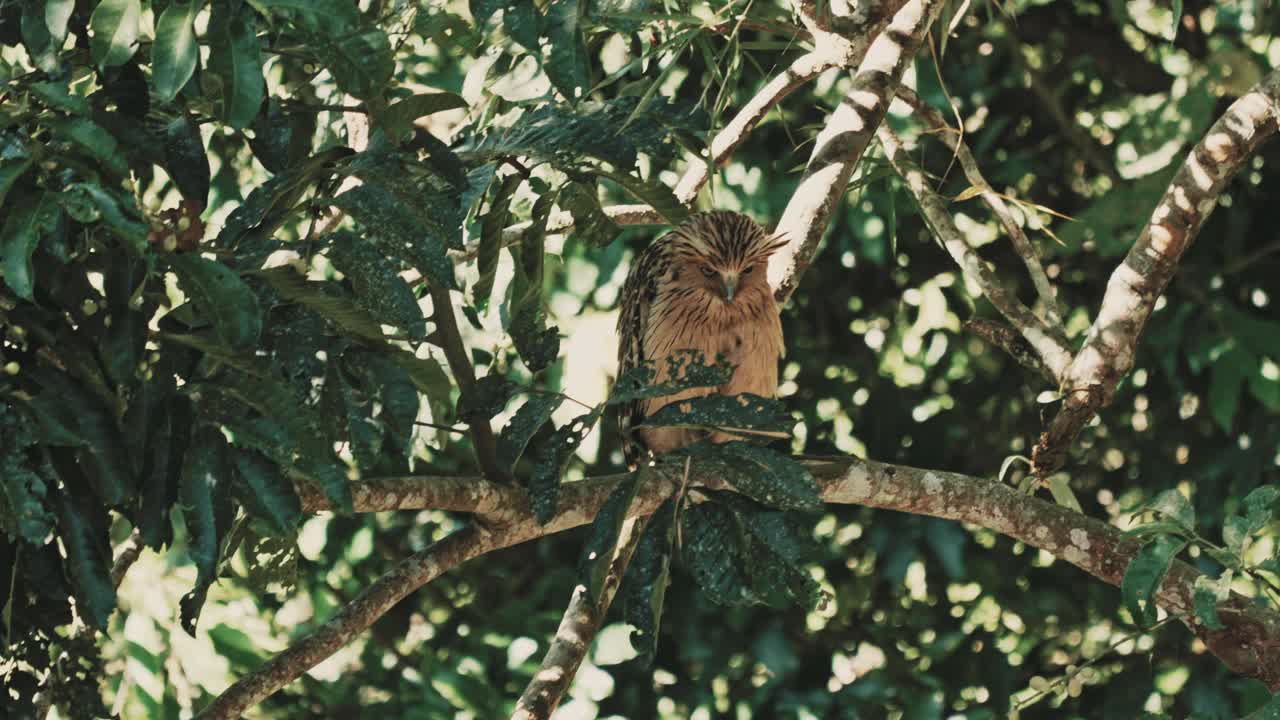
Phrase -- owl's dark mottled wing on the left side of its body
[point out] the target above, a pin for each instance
(639, 294)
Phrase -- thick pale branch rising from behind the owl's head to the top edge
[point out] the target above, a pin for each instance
(843, 142)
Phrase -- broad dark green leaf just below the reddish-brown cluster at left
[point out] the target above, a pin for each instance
(222, 298)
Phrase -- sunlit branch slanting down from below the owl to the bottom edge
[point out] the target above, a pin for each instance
(577, 632)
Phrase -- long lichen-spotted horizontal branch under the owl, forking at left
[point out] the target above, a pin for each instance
(1250, 645)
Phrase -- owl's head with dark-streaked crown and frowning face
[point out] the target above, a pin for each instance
(724, 256)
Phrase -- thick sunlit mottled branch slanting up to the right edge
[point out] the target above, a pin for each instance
(1137, 284)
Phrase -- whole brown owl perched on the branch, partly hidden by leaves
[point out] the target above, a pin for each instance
(703, 286)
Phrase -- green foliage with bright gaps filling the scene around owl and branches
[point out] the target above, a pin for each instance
(1076, 106)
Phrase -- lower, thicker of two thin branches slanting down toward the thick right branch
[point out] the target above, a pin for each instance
(1050, 343)
